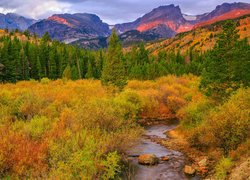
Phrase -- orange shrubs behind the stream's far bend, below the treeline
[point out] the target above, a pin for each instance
(164, 97)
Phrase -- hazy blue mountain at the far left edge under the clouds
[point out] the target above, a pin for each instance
(13, 21)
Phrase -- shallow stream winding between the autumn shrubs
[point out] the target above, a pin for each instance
(167, 170)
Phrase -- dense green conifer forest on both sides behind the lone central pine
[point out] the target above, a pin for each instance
(25, 60)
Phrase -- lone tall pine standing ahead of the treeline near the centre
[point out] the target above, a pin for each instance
(114, 72)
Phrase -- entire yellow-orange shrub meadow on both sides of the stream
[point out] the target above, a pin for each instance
(81, 129)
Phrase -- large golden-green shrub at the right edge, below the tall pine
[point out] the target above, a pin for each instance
(229, 125)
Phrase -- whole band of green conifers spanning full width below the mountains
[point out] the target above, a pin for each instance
(39, 58)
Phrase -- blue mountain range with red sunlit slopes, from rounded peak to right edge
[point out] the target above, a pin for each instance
(89, 31)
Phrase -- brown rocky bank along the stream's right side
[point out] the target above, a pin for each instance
(175, 141)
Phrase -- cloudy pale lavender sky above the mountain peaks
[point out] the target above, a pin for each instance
(110, 11)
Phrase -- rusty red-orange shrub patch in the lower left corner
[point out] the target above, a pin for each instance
(23, 156)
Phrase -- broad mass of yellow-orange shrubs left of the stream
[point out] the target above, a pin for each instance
(65, 129)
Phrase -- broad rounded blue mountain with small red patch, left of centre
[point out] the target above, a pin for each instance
(71, 27)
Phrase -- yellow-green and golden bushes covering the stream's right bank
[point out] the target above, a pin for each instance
(225, 127)
